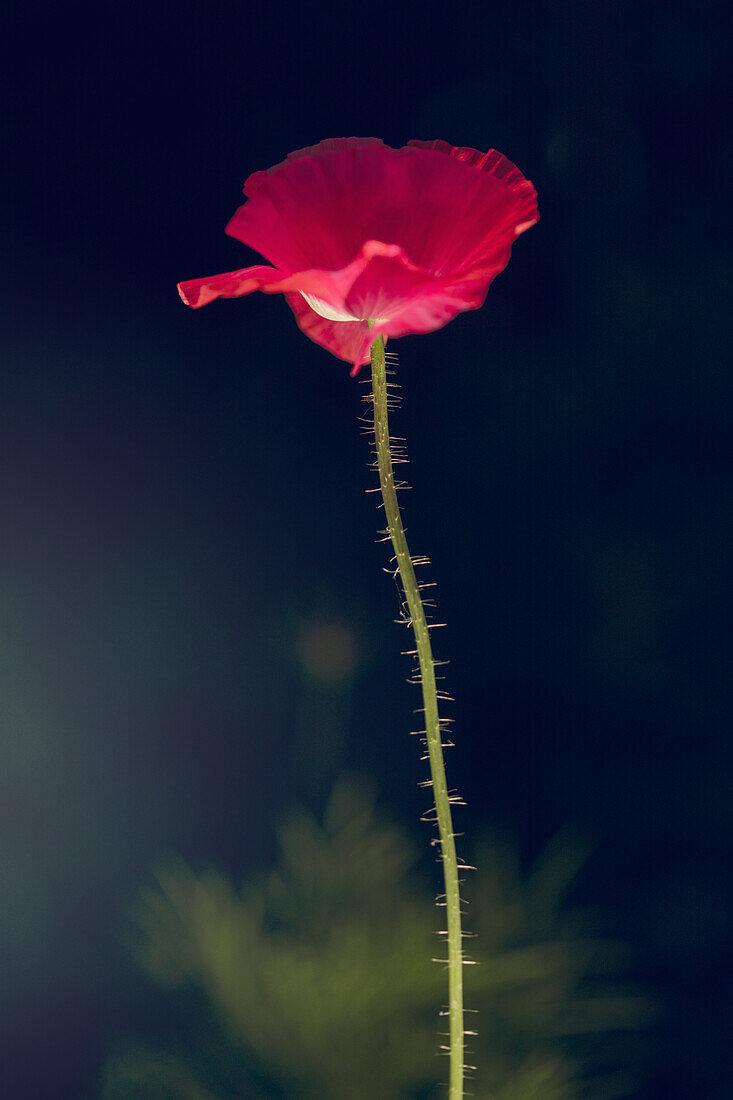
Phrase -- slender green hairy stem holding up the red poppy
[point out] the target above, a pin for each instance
(433, 729)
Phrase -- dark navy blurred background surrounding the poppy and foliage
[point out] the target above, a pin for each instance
(182, 493)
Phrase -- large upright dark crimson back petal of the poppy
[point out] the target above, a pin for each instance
(316, 208)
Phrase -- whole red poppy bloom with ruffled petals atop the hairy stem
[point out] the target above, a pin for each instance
(358, 232)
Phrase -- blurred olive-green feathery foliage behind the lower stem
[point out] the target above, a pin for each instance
(315, 982)
